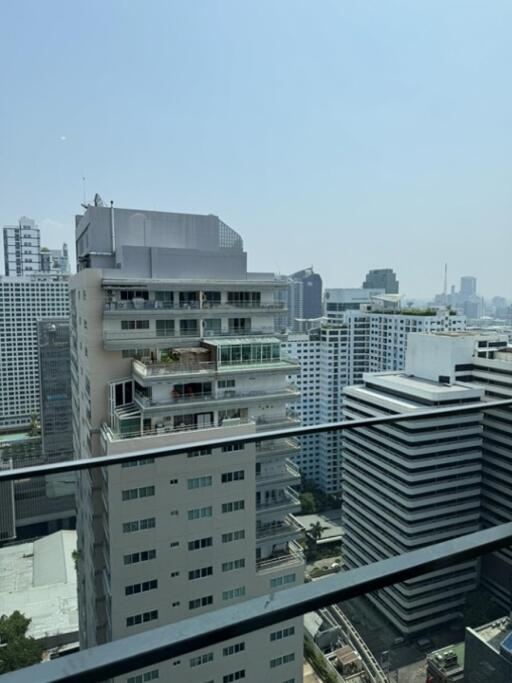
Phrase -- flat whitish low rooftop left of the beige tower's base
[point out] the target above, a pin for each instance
(40, 576)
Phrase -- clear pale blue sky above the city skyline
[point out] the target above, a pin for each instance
(339, 134)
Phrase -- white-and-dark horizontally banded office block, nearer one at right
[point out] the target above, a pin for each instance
(412, 484)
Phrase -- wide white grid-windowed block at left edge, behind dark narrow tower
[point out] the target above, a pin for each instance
(23, 301)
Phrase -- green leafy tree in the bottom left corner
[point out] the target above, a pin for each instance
(16, 649)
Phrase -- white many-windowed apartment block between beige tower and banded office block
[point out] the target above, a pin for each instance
(350, 342)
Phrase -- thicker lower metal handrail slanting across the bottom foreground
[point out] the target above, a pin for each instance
(181, 638)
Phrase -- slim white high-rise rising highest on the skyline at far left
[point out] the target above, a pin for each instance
(22, 244)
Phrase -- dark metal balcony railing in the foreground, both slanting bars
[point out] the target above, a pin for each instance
(122, 656)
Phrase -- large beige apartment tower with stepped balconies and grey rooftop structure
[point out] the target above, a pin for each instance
(173, 343)
